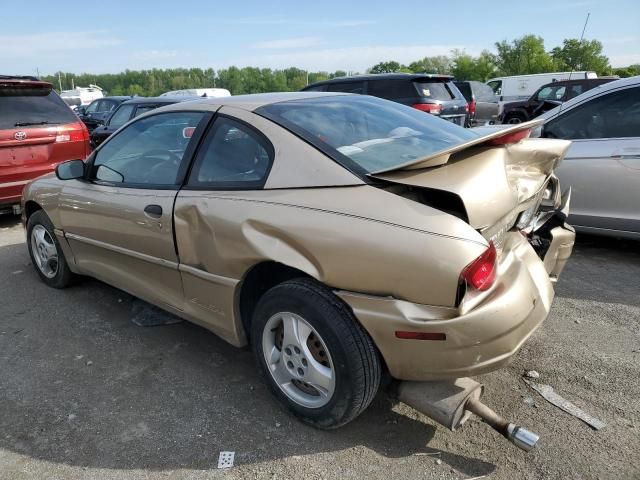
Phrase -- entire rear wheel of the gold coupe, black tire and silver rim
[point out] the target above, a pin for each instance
(328, 335)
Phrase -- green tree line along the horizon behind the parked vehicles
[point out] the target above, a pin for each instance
(524, 55)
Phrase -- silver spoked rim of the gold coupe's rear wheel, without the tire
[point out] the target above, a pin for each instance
(298, 360)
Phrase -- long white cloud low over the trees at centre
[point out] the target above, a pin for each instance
(356, 59)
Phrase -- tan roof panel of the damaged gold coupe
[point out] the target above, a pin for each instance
(247, 102)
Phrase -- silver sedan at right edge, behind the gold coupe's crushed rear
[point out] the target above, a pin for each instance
(602, 167)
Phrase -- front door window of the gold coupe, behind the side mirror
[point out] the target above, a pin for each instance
(147, 152)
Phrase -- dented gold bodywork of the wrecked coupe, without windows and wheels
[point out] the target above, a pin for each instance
(395, 258)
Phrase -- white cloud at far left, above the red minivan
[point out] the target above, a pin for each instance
(51, 43)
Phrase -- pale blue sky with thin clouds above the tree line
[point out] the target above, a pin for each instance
(101, 37)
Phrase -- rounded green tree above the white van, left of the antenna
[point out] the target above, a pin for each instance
(523, 56)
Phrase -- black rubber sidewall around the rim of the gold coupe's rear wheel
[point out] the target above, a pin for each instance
(319, 313)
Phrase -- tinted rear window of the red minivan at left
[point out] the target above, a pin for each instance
(32, 107)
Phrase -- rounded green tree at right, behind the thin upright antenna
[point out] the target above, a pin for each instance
(581, 55)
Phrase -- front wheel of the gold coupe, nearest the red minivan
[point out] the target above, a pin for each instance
(45, 252)
